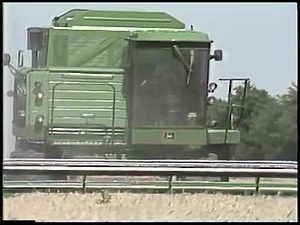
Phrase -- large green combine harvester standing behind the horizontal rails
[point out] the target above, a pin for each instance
(118, 84)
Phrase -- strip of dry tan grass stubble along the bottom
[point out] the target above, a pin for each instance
(126, 206)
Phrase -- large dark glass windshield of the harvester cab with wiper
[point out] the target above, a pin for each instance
(167, 88)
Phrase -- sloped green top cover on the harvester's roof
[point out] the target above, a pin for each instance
(118, 19)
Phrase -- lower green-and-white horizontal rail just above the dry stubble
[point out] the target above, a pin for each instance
(181, 186)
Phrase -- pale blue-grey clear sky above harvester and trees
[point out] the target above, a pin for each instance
(259, 40)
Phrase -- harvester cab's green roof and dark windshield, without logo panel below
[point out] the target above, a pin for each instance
(168, 80)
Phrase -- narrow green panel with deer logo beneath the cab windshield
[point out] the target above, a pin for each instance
(183, 136)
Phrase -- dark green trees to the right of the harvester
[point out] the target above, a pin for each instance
(269, 124)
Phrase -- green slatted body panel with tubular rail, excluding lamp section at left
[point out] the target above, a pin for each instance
(86, 106)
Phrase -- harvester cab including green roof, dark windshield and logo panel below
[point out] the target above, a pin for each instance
(167, 91)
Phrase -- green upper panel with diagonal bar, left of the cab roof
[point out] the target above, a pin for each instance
(88, 50)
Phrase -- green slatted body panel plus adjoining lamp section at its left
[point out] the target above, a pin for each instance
(76, 106)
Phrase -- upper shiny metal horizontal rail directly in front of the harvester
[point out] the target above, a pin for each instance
(169, 168)
